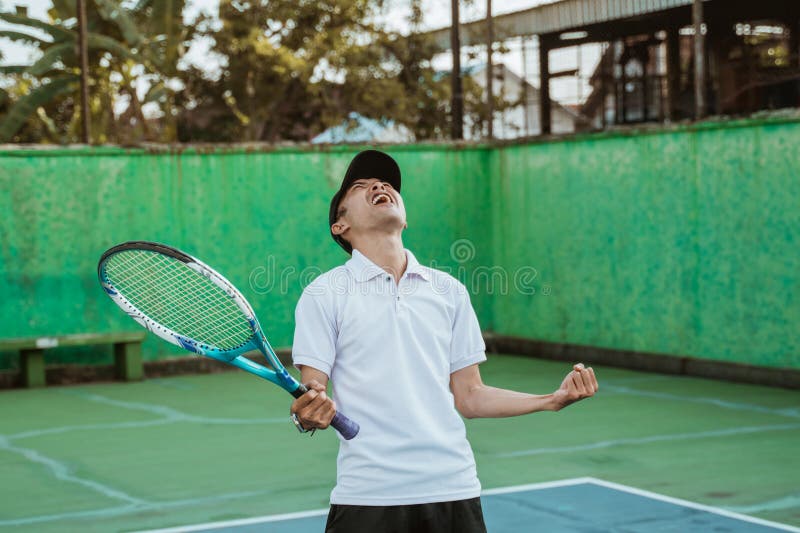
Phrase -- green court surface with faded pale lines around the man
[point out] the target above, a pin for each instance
(209, 448)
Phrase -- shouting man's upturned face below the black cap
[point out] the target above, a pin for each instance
(372, 204)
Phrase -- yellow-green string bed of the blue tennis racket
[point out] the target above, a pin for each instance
(175, 296)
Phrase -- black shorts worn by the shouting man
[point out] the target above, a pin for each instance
(461, 516)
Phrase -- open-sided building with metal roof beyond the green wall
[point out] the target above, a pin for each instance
(647, 68)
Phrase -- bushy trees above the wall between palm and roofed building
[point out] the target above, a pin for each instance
(290, 69)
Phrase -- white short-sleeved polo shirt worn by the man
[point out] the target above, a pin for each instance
(389, 350)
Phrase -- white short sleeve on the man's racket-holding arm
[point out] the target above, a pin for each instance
(315, 332)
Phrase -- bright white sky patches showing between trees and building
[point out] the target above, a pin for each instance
(395, 16)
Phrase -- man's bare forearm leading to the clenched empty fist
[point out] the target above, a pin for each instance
(483, 401)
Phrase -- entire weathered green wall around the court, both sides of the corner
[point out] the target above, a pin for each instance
(681, 241)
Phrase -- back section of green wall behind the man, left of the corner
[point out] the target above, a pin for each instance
(259, 217)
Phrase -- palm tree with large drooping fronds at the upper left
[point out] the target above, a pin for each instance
(128, 47)
